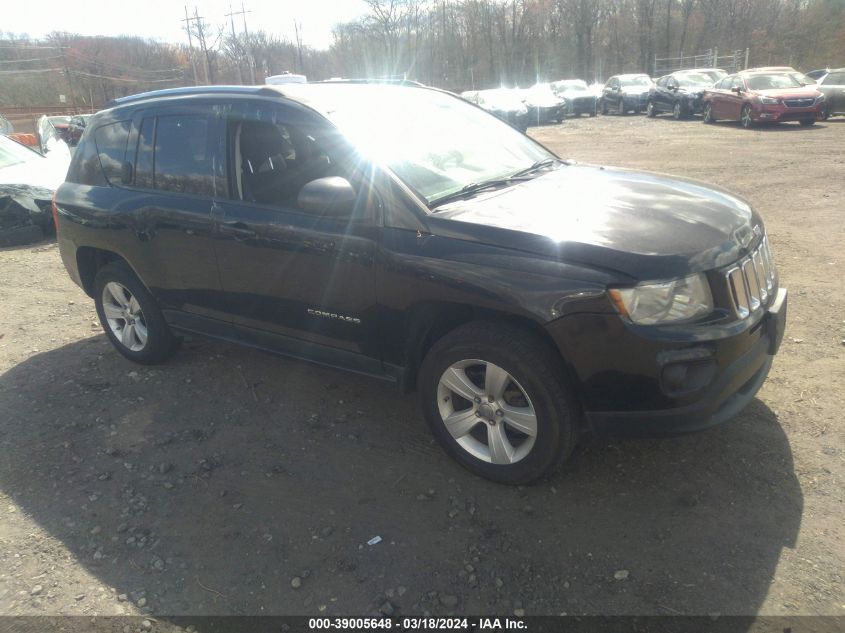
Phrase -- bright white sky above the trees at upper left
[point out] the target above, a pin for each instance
(160, 19)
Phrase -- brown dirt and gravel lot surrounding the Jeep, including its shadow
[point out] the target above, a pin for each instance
(233, 482)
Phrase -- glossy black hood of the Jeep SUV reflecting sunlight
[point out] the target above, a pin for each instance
(636, 223)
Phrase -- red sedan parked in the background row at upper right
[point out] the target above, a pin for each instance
(752, 97)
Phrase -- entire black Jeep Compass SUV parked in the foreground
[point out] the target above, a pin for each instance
(403, 233)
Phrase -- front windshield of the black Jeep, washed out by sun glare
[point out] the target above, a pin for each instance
(436, 143)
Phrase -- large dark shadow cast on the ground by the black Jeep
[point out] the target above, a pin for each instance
(206, 485)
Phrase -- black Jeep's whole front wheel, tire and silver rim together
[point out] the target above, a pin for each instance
(532, 385)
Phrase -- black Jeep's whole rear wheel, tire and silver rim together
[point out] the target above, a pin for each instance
(145, 336)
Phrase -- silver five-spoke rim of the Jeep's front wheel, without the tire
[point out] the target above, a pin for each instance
(486, 411)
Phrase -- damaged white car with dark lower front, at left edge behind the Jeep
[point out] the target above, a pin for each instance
(27, 183)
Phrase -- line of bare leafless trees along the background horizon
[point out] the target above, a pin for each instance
(454, 44)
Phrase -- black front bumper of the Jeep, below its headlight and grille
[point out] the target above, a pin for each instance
(626, 378)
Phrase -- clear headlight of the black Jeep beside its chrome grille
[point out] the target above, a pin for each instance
(666, 301)
